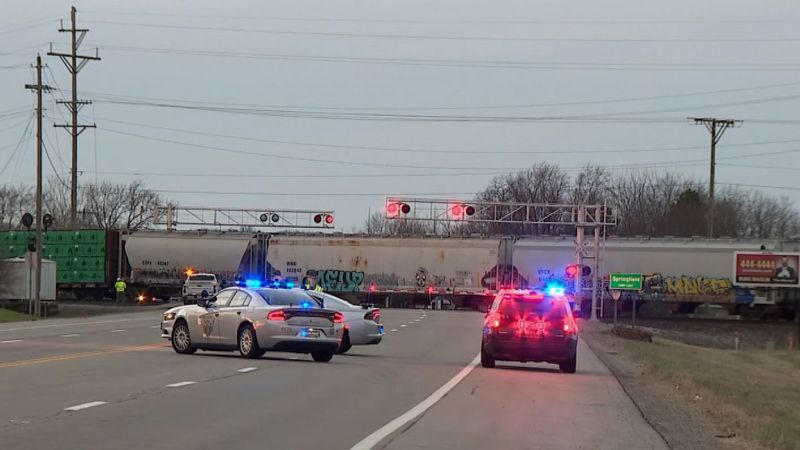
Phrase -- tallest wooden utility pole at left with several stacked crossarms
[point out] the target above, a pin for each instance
(70, 60)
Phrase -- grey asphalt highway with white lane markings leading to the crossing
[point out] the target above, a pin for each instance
(112, 382)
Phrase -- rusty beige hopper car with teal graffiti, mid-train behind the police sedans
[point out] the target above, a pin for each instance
(374, 265)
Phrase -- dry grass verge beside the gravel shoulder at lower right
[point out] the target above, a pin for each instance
(755, 394)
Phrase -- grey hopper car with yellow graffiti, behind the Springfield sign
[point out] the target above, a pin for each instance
(683, 271)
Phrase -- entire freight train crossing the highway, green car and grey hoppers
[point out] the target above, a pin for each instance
(389, 270)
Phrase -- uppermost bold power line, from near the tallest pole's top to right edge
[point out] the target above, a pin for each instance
(595, 39)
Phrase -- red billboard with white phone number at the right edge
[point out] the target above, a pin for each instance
(753, 269)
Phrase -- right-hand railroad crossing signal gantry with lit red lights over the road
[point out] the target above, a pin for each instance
(594, 217)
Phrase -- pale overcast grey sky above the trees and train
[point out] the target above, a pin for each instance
(337, 66)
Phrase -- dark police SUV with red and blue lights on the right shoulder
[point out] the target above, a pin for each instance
(529, 326)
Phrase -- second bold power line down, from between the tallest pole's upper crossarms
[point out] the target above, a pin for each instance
(490, 64)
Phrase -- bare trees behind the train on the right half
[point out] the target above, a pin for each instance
(645, 202)
